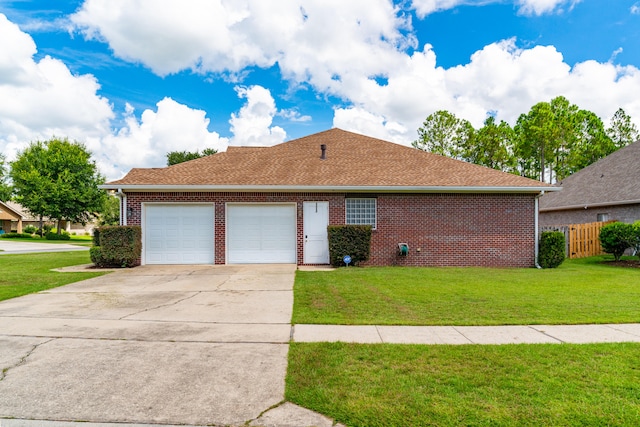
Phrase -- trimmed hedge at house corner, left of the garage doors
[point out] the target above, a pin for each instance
(119, 246)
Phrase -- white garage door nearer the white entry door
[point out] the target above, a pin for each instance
(261, 233)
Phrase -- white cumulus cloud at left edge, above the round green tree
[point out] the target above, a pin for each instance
(42, 99)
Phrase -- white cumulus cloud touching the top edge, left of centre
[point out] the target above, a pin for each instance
(314, 40)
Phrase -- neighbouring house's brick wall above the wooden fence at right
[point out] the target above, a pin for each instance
(623, 213)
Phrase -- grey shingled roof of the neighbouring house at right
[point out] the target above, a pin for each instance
(612, 180)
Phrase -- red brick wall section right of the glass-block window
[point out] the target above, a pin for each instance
(455, 230)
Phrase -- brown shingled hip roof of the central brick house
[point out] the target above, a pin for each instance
(353, 162)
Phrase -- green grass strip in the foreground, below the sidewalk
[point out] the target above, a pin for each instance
(471, 385)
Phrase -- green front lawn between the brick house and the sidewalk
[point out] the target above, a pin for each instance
(580, 291)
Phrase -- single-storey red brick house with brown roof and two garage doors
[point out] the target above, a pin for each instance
(273, 205)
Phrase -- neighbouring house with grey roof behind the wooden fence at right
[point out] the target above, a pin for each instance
(608, 189)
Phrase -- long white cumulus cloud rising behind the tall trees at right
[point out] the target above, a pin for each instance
(501, 78)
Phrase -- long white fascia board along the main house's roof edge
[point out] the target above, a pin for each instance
(327, 189)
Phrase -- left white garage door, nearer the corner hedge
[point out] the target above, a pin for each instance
(178, 234)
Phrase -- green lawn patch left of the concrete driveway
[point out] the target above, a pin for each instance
(29, 273)
